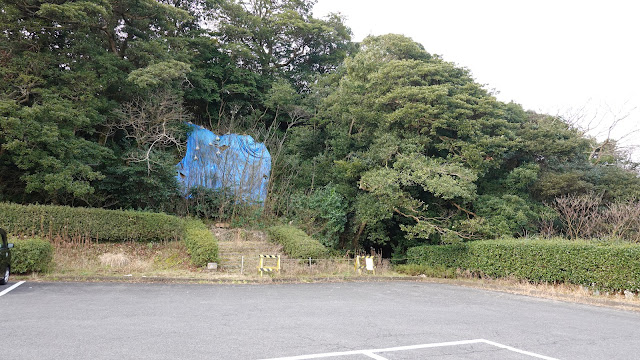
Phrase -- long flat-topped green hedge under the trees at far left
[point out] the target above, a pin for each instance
(100, 224)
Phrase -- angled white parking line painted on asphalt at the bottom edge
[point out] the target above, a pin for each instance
(372, 353)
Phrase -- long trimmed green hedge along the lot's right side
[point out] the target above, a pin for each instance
(613, 267)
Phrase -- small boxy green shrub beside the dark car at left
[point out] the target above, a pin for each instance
(31, 255)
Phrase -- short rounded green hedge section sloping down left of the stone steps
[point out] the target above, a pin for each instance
(200, 242)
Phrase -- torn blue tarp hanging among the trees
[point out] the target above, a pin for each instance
(235, 162)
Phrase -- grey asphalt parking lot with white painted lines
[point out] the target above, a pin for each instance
(344, 321)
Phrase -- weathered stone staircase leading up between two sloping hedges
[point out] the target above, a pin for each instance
(239, 249)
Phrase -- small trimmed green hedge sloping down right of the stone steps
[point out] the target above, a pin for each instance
(296, 243)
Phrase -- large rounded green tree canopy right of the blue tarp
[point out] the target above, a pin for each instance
(424, 154)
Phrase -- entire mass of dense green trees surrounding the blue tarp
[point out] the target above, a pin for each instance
(374, 144)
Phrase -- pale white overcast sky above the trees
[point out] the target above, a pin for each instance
(549, 56)
